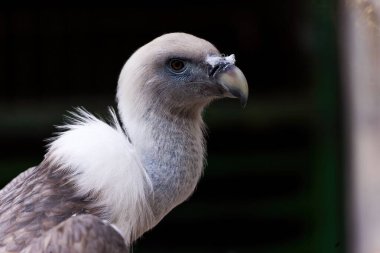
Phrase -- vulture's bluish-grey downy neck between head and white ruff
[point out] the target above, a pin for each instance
(171, 148)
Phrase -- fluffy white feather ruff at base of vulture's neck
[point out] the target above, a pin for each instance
(103, 161)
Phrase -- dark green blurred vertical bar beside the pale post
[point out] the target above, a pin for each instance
(327, 158)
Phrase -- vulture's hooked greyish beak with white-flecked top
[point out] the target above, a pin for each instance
(231, 78)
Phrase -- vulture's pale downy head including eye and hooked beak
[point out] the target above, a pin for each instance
(178, 73)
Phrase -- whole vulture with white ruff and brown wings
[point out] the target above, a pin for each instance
(102, 184)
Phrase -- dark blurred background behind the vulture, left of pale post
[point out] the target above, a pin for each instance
(273, 182)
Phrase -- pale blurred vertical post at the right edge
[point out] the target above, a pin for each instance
(361, 55)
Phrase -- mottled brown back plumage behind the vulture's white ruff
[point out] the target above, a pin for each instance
(36, 201)
